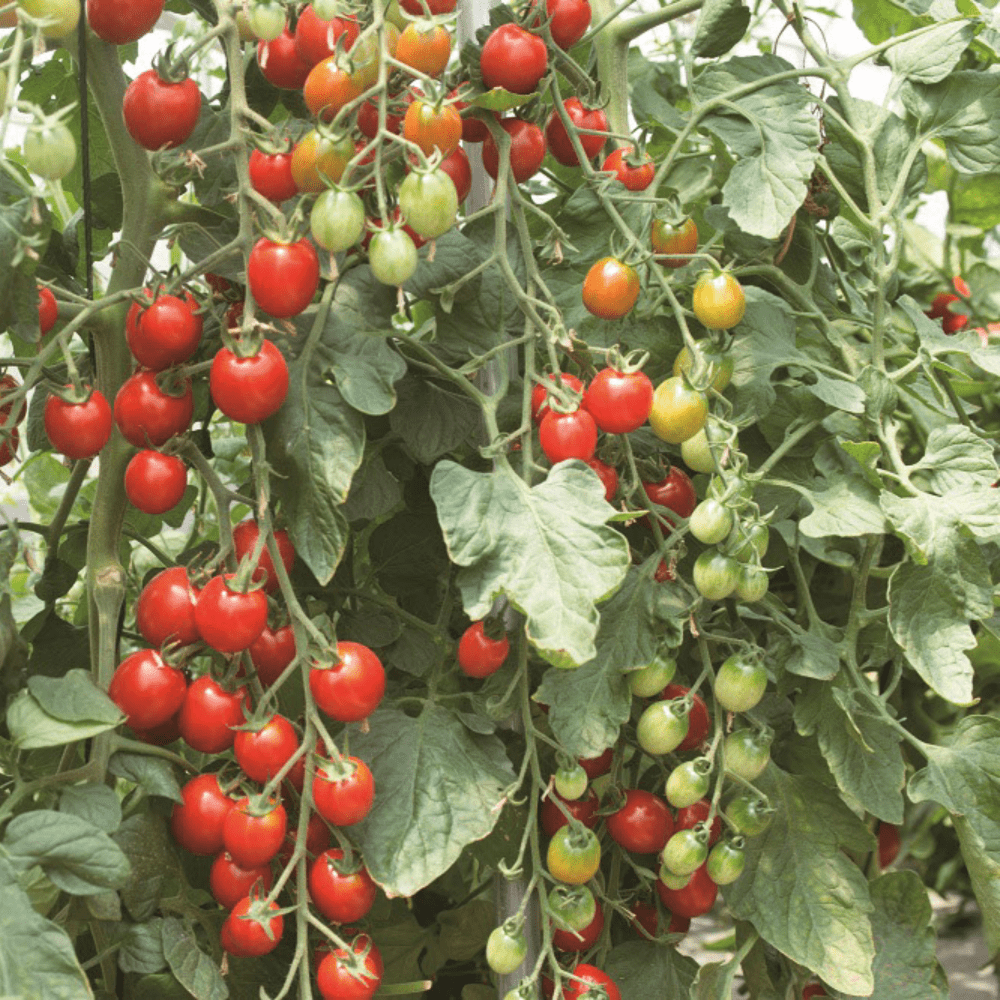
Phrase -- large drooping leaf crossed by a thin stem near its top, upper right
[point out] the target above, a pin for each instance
(773, 135)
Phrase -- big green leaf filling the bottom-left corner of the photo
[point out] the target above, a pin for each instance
(37, 959)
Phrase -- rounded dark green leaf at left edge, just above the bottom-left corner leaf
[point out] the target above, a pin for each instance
(75, 854)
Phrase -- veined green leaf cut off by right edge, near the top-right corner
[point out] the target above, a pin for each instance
(964, 111)
